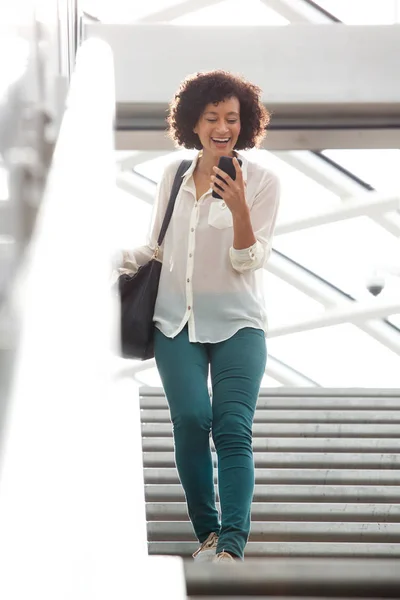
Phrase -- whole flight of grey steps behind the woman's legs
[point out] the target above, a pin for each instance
(327, 486)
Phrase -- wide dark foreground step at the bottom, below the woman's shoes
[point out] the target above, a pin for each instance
(288, 578)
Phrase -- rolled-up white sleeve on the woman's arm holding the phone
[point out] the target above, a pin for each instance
(263, 214)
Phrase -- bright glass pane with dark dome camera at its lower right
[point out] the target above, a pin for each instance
(344, 253)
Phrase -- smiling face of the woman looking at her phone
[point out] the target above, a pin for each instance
(219, 126)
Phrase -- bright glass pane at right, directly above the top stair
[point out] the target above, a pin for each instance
(340, 356)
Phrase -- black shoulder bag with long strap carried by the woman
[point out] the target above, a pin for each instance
(138, 292)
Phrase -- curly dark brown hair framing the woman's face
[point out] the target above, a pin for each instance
(200, 89)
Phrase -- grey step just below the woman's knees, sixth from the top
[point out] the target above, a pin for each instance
(308, 460)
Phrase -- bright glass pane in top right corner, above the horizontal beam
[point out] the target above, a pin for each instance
(363, 12)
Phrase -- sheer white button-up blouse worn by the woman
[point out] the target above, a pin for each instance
(206, 283)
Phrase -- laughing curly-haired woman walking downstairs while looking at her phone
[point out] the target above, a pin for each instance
(209, 313)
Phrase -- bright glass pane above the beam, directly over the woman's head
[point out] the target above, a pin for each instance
(233, 12)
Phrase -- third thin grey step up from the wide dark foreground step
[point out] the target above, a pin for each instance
(291, 511)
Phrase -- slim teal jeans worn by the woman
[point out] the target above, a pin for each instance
(236, 367)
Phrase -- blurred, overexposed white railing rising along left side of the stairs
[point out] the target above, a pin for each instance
(72, 512)
